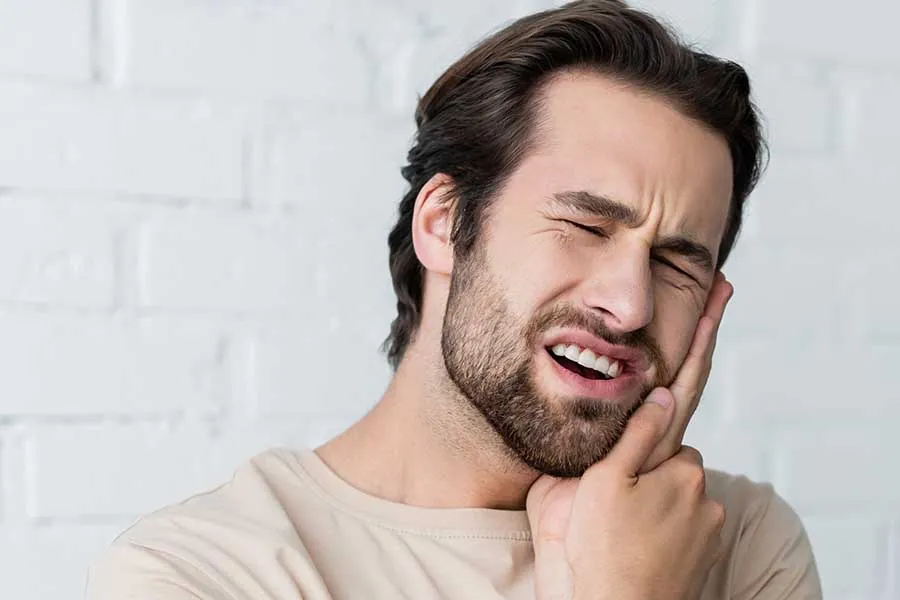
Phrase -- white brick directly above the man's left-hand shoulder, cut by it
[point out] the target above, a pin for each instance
(106, 470)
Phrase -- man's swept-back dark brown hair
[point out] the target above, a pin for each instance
(476, 121)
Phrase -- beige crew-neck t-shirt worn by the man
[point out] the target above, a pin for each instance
(287, 527)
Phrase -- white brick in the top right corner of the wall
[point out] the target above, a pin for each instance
(798, 27)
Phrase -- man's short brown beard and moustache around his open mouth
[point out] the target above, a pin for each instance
(489, 355)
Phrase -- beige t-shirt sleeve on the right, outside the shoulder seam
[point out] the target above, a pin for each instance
(775, 560)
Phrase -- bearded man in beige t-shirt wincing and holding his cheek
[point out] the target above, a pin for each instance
(576, 185)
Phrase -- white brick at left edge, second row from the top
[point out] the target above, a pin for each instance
(94, 140)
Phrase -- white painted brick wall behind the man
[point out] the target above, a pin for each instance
(194, 202)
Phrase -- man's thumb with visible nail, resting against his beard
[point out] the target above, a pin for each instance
(645, 429)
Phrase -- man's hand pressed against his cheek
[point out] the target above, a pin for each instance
(638, 524)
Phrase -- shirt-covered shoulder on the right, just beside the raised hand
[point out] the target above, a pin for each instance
(767, 553)
